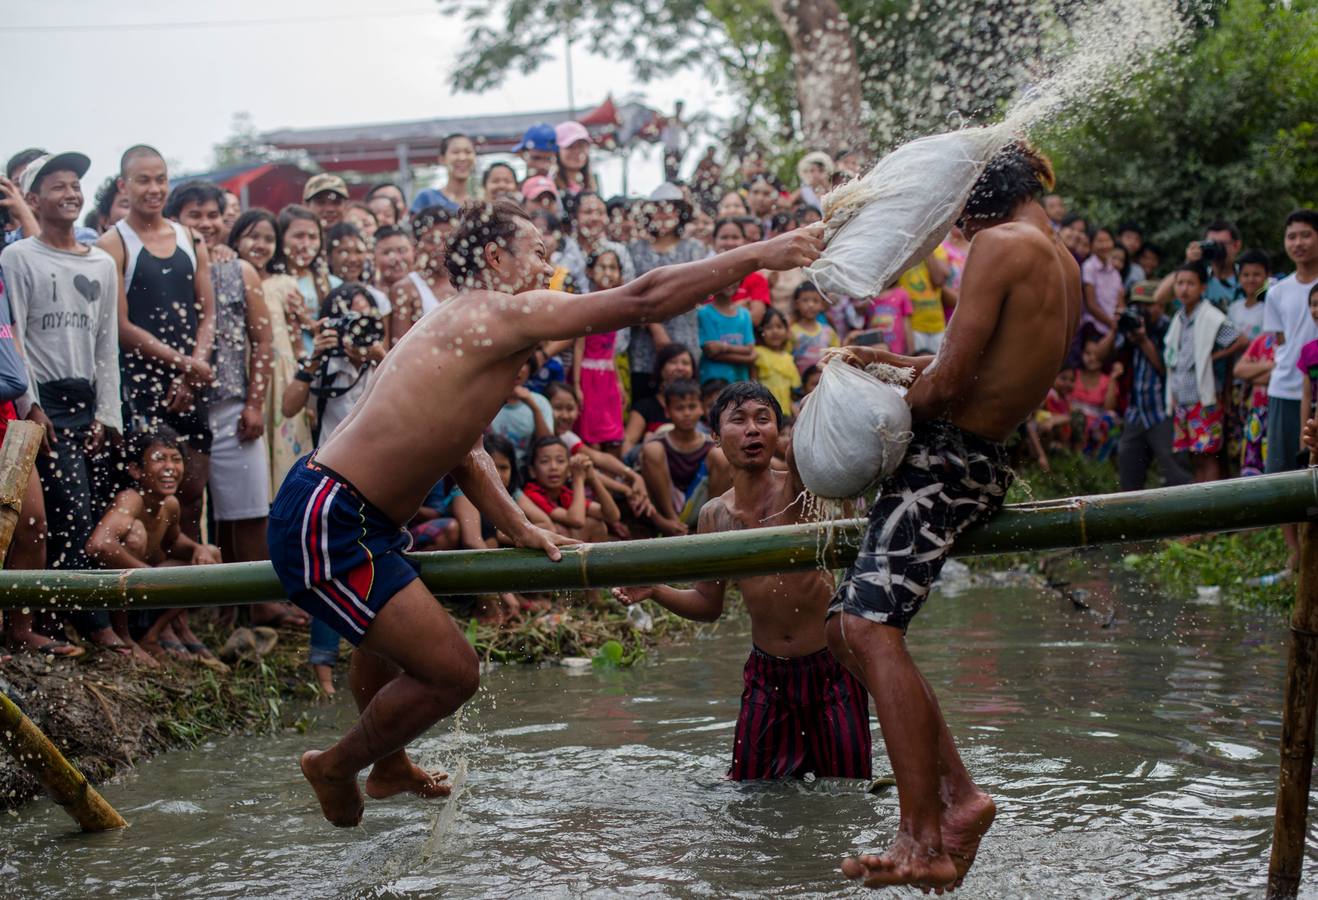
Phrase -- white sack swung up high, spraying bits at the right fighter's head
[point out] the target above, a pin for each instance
(880, 226)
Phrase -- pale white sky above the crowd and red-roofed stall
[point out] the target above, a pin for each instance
(86, 77)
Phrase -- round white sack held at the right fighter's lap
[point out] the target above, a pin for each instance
(853, 432)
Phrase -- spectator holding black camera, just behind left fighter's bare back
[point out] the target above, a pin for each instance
(349, 346)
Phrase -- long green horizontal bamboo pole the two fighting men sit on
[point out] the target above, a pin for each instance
(1067, 524)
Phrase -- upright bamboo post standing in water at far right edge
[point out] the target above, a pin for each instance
(1299, 715)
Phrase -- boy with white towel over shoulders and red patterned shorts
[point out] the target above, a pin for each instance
(1200, 337)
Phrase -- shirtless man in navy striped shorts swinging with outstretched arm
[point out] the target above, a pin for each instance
(337, 526)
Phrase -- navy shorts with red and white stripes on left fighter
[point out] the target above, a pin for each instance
(335, 553)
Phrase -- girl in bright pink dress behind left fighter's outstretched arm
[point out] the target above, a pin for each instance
(595, 372)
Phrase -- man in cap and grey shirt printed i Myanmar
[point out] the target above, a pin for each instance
(64, 296)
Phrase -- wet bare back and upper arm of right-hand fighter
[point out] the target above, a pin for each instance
(1019, 308)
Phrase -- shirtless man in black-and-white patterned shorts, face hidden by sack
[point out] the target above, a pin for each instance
(1019, 308)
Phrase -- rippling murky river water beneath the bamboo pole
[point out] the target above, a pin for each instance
(1130, 756)
